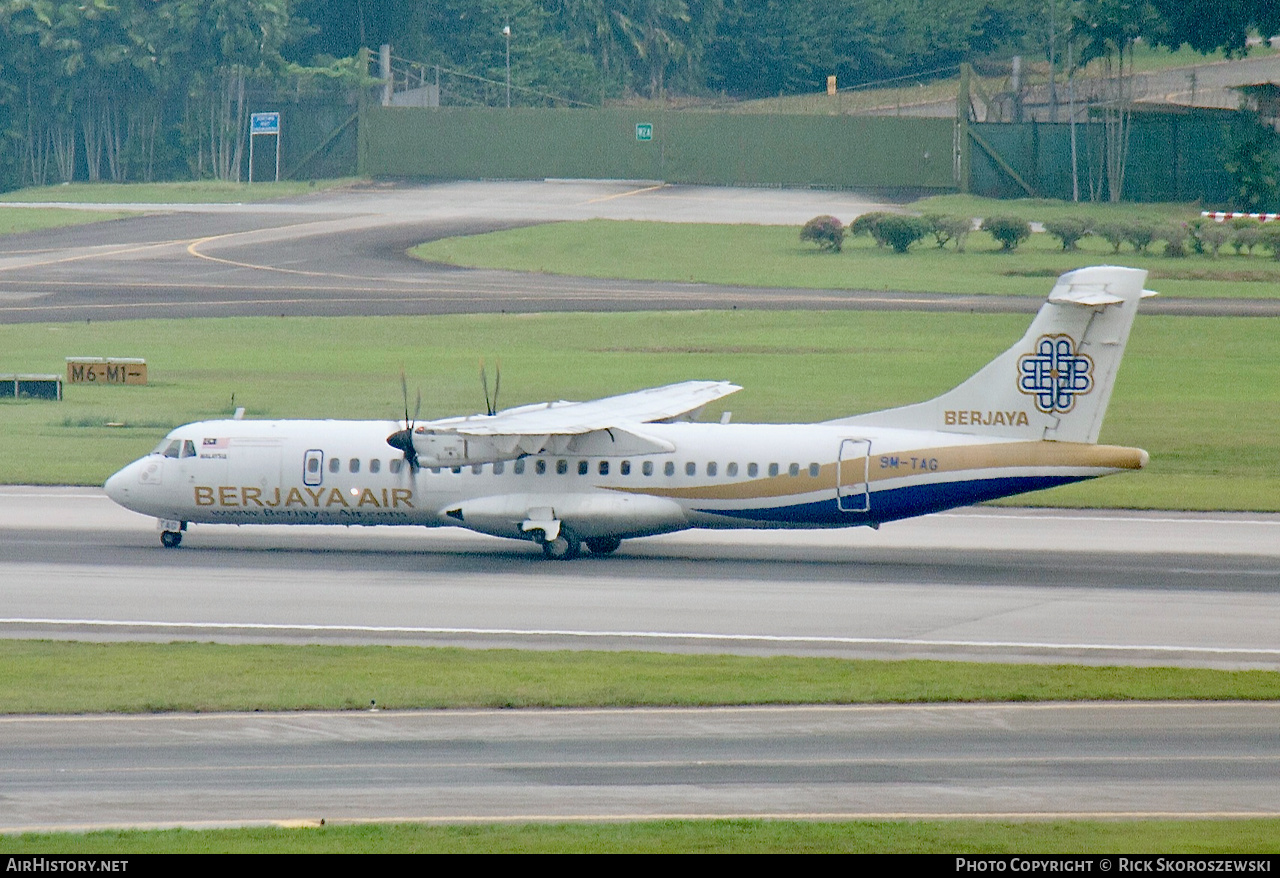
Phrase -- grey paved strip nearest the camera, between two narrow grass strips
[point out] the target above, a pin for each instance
(872, 762)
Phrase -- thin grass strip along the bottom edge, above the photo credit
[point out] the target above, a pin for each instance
(1164, 838)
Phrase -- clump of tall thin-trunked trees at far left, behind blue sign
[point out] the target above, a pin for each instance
(116, 88)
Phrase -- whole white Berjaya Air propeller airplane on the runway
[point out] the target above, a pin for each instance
(569, 475)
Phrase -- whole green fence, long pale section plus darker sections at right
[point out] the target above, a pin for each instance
(1172, 157)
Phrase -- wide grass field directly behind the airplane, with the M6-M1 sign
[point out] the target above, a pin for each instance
(1199, 394)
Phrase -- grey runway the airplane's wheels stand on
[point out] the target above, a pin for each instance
(976, 584)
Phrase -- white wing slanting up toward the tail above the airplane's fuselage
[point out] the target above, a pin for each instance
(664, 404)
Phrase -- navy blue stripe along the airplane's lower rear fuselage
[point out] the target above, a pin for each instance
(902, 502)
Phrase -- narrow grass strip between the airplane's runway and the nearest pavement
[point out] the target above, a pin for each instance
(56, 678)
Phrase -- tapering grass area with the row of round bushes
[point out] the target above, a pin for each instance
(774, 257)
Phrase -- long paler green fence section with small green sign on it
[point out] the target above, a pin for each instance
(674, 147)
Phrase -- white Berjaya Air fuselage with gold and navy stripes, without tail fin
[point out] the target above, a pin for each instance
(720, 475)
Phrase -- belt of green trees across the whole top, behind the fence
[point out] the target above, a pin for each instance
(144, 89)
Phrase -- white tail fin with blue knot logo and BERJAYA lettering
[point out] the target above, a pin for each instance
(1057, 382)
